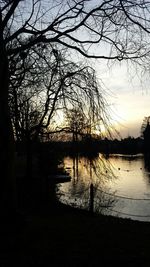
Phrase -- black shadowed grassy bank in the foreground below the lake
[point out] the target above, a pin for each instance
(64, 236)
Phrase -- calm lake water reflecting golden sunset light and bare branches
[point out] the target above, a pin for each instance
(121, 185)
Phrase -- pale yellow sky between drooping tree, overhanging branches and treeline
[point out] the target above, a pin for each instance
(128, 96)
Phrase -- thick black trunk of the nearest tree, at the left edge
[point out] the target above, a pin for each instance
(7, 181)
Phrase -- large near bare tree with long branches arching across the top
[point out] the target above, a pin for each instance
(83, 26)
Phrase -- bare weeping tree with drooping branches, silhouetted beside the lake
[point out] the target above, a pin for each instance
(61, 85)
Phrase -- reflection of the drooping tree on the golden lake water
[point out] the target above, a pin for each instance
(88, 173)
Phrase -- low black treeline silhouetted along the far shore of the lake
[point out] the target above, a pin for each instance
(43, 150)
